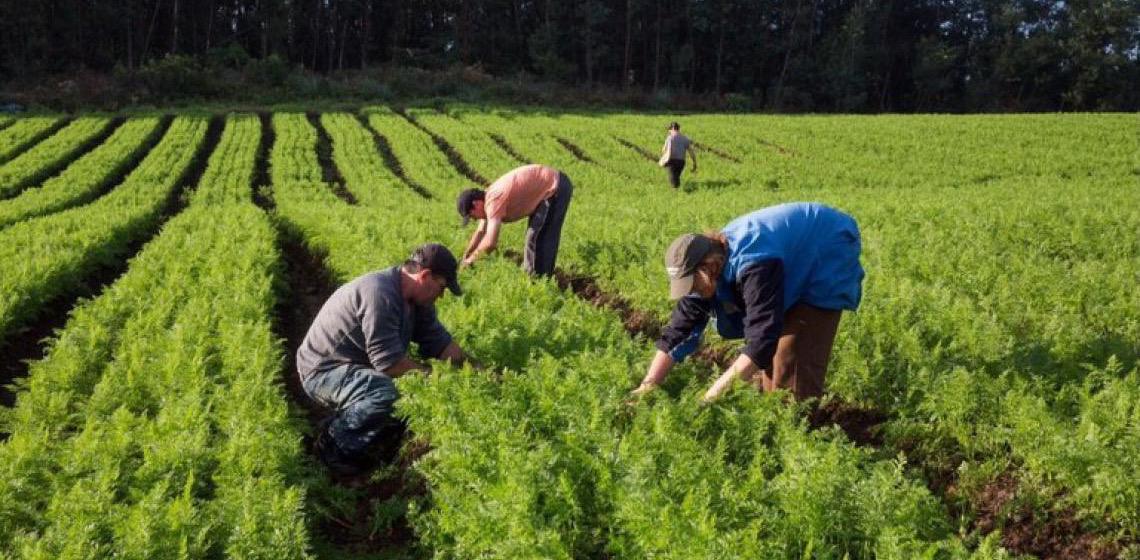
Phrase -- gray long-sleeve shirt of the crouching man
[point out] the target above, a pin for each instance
(368, 322)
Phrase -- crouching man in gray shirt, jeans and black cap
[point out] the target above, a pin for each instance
(360, 343)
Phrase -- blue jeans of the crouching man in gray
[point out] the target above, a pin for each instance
(362, 402)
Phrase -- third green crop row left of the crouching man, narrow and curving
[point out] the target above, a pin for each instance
(87, 177)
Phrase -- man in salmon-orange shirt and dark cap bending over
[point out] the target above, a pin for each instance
(540, 193)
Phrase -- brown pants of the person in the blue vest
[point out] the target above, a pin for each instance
(801, 363)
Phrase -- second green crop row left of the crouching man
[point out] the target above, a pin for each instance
(51, 256)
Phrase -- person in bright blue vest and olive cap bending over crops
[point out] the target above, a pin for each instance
(778, 278)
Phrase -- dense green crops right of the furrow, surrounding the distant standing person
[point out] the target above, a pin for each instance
(990, 312)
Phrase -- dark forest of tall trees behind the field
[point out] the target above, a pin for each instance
(778, 55)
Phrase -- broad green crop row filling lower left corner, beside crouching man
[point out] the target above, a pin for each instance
(156, 428)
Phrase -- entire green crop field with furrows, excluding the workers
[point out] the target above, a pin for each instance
(159, 273)
